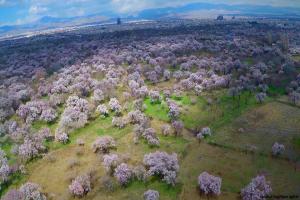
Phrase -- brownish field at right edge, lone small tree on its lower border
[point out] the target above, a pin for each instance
(275, 122)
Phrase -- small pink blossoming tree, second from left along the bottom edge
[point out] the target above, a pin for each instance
(80, 186)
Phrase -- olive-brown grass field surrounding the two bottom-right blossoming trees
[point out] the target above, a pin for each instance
(236, 170)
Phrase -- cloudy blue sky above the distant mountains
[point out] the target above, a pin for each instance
(25, 11)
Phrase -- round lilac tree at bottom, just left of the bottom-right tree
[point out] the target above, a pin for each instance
(209, 184)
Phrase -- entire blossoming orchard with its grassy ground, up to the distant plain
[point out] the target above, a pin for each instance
(119, 94)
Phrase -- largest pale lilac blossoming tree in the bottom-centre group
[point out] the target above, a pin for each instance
(162, 164)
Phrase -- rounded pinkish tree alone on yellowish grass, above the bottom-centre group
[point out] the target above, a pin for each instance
(104, 144)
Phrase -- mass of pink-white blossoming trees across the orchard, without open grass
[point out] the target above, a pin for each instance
(70, 83)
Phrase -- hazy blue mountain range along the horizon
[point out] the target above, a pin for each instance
(153, 14)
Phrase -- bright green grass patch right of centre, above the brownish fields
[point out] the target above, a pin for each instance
(220, 112)
